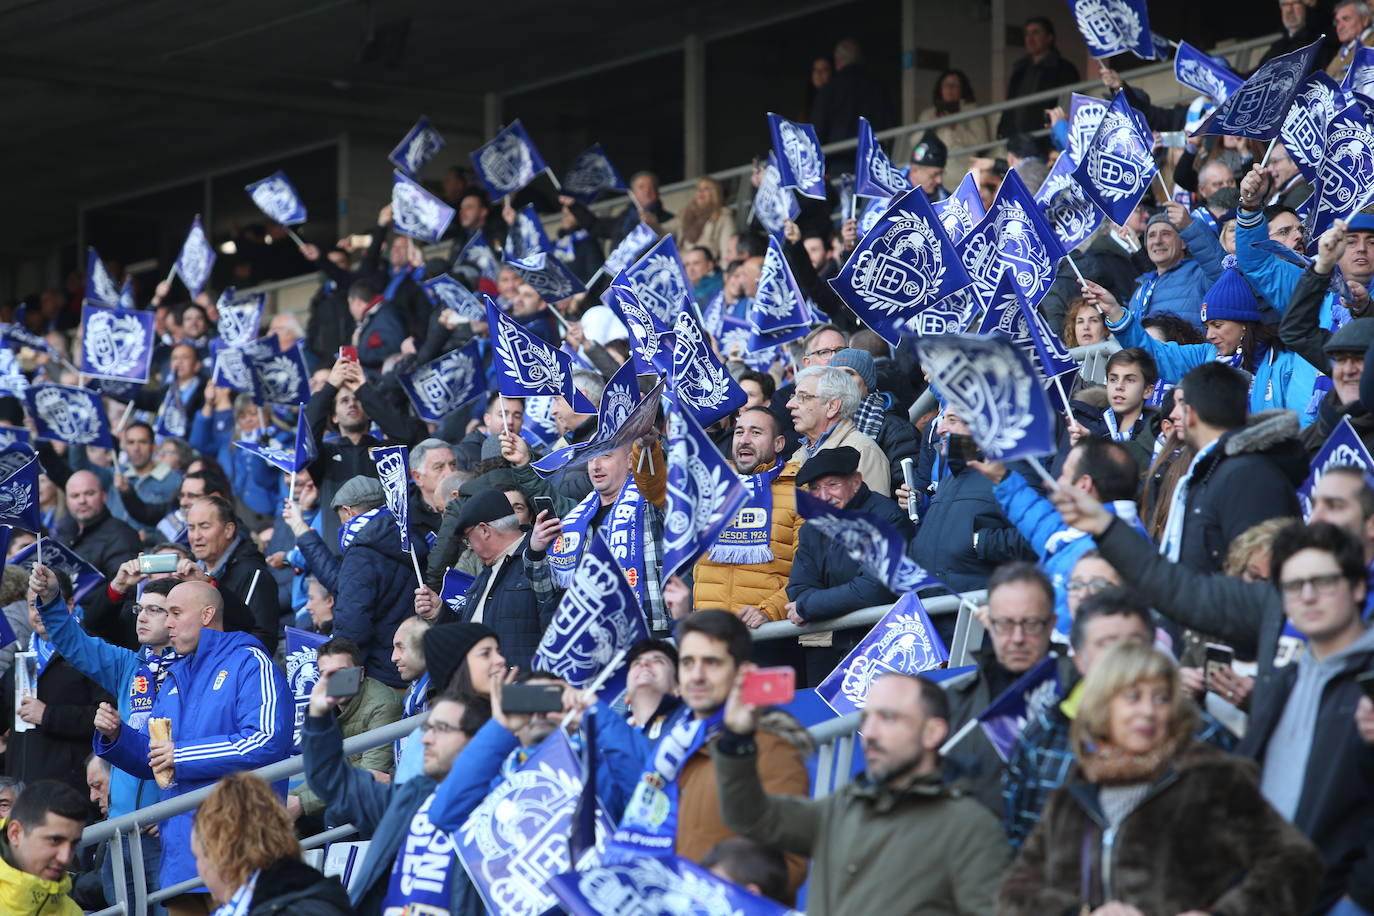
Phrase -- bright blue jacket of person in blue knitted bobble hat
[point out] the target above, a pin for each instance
(1283, 380)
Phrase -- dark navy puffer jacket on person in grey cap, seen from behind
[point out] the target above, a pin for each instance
(376, 591)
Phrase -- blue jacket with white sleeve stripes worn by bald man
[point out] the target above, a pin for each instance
(230, 709)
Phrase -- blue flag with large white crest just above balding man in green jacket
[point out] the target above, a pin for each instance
(905, 642)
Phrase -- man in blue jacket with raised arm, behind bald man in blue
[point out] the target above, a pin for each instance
(133, 678)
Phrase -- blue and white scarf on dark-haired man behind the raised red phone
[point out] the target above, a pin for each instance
(649, 826)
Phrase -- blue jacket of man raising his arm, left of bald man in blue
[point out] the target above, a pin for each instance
(113, 669)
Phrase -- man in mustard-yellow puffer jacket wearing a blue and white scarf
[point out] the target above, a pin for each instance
(745, 572)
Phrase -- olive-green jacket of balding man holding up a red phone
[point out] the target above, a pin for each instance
(928, 849)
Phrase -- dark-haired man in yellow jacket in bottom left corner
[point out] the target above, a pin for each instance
(38, 844)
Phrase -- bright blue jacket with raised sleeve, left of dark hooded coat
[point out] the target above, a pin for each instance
(1057, 545)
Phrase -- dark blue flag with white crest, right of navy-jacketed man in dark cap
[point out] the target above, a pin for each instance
(598, 616)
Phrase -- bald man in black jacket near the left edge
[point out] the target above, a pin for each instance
(104, 542)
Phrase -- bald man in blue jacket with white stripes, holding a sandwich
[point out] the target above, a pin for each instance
(230, 711)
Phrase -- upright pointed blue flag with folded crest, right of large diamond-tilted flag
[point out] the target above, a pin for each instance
(1013, 236)
